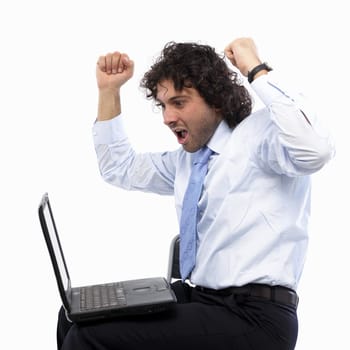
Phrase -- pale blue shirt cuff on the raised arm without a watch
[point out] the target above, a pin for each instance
(109, 131)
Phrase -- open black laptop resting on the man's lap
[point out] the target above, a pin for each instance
(101, 301)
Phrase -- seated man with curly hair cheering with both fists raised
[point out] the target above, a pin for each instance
(251, 230)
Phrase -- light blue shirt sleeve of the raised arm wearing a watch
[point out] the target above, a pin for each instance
(295, 144)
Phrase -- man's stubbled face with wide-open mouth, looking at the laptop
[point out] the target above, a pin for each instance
(187, 114)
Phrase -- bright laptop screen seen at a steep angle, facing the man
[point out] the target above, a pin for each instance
(56, 246)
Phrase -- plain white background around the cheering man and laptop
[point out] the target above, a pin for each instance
(47, 107)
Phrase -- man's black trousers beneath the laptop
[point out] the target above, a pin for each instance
(198, 321)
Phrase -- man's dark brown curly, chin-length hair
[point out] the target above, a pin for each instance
(200, 67)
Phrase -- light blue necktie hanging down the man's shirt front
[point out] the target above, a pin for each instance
(188, 222)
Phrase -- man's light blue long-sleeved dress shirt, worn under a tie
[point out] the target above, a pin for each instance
(255, 205)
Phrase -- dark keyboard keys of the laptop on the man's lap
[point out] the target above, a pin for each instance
(102, 296)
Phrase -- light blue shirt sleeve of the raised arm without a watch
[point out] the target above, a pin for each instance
(121, 166)
